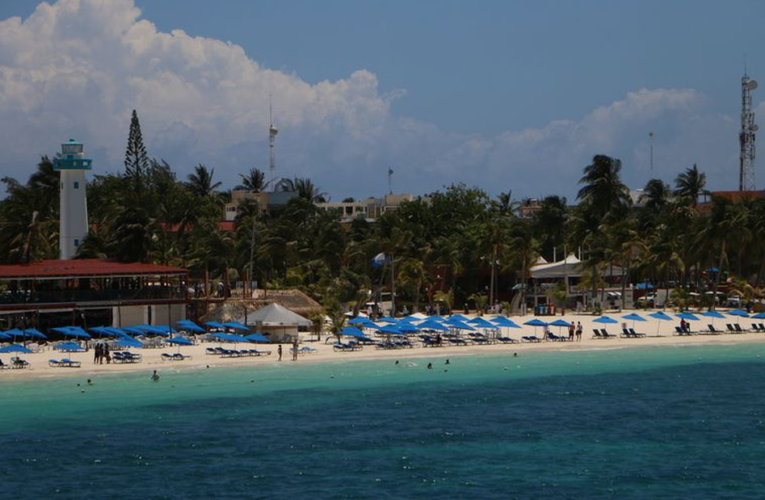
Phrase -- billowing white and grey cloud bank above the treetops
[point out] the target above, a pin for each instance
(78, 67)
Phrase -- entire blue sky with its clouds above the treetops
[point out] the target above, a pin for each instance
(500, 95)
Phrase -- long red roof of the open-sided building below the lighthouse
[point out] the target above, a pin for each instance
(56, 269)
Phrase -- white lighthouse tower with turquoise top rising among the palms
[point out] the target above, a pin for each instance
(73, 227)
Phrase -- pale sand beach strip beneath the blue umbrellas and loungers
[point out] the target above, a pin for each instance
(152, 357)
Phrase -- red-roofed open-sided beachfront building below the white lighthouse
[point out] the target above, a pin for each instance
(90, 292)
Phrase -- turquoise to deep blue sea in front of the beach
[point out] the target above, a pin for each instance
(630, 424)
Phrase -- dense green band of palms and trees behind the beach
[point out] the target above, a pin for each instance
(455, 245)
